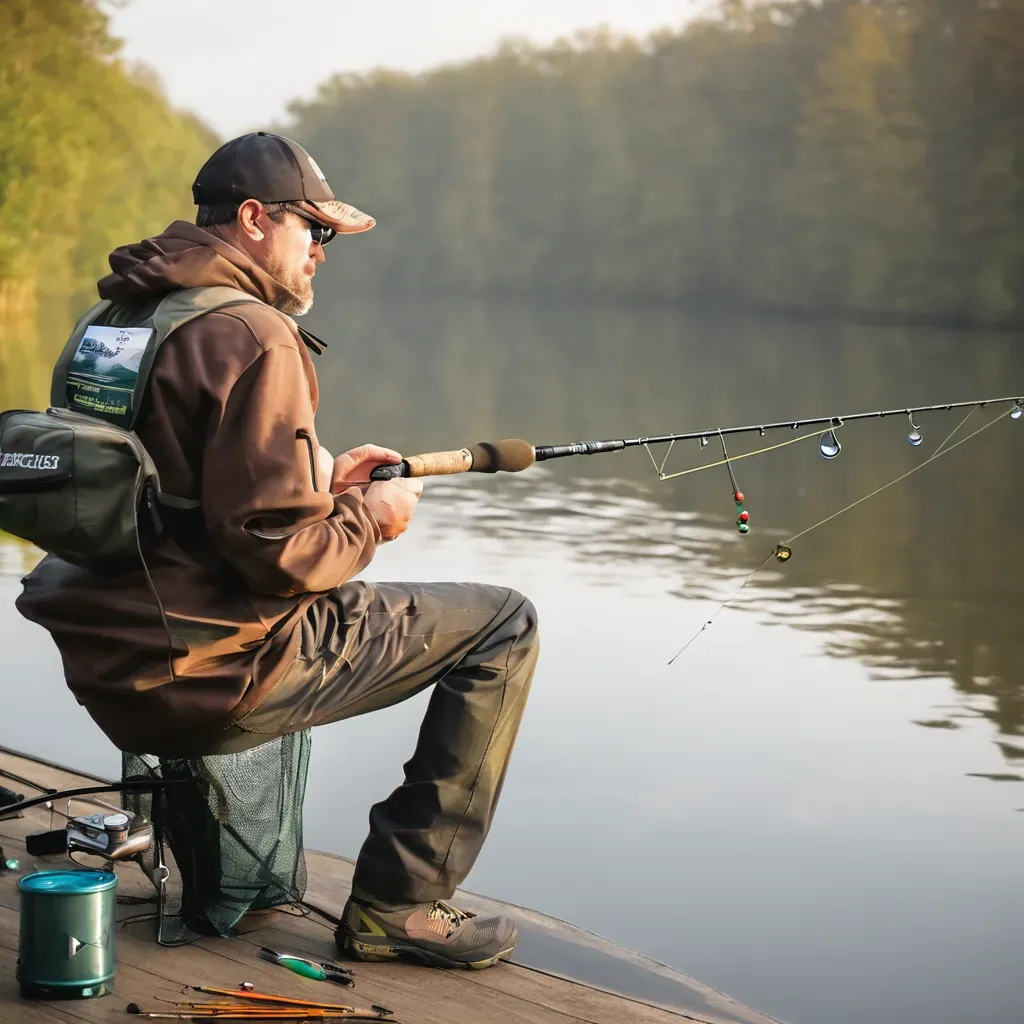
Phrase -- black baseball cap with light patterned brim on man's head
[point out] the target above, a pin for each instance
(275, 169)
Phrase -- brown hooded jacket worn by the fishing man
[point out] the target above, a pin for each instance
(230, 399)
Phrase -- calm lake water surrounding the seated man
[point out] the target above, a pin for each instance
(818, 807)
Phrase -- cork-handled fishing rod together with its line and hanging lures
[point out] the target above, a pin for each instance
(515, 455)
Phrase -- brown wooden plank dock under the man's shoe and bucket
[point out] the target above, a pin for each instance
(520, 993)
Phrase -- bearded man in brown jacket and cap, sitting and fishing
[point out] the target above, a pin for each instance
(270, 633)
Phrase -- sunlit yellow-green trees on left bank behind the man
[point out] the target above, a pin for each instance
(92, 157)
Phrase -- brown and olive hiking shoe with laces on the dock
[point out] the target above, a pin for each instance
(436, 934)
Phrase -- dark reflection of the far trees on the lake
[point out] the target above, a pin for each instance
(940, 551)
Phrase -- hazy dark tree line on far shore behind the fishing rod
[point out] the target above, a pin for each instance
(859, 158)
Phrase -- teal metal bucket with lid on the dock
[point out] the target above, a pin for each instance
(66, 943)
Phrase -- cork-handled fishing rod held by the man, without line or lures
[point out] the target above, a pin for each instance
(515, 455)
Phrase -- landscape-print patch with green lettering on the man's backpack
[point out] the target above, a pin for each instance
(104, 372)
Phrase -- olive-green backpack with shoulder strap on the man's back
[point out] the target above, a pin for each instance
(75, 478)
